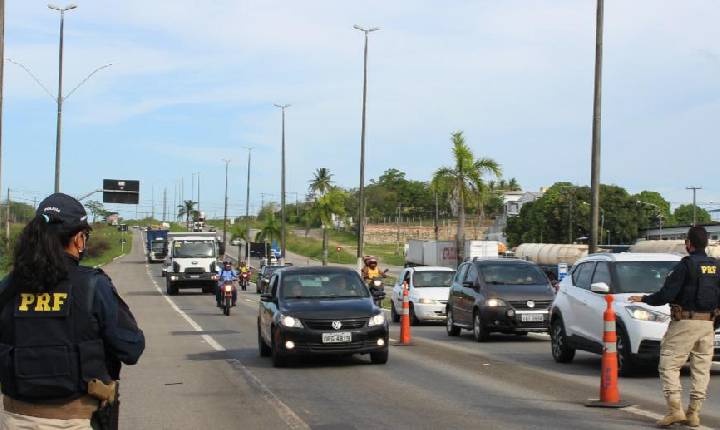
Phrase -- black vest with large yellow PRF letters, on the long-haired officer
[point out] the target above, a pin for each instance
(50, 346)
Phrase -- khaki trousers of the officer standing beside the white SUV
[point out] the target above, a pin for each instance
(685, 339)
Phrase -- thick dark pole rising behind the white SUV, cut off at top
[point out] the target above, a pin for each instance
(595, 162)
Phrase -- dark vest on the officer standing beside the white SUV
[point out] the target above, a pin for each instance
(701, 292)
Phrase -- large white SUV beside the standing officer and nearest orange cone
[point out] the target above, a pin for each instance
(577, 312)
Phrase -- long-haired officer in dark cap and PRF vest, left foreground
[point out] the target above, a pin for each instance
(64, 331)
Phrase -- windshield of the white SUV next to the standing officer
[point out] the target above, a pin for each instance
(642, 276)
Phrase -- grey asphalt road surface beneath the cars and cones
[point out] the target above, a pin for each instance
(202, 370)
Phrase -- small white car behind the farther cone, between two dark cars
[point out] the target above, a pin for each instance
(428, 293)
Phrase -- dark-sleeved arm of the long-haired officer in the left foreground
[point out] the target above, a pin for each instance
(118, 327)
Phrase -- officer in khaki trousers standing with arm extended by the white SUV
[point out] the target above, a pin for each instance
(693, 291)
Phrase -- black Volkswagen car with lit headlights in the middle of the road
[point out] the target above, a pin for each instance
(320, 310)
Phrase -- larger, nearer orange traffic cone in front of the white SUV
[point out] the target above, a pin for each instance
(609, 392)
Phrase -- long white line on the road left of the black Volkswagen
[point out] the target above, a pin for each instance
(291, 419)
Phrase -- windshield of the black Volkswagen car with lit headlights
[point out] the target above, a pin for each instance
(322, 285)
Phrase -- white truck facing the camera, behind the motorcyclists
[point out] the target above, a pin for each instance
(192, 261)
